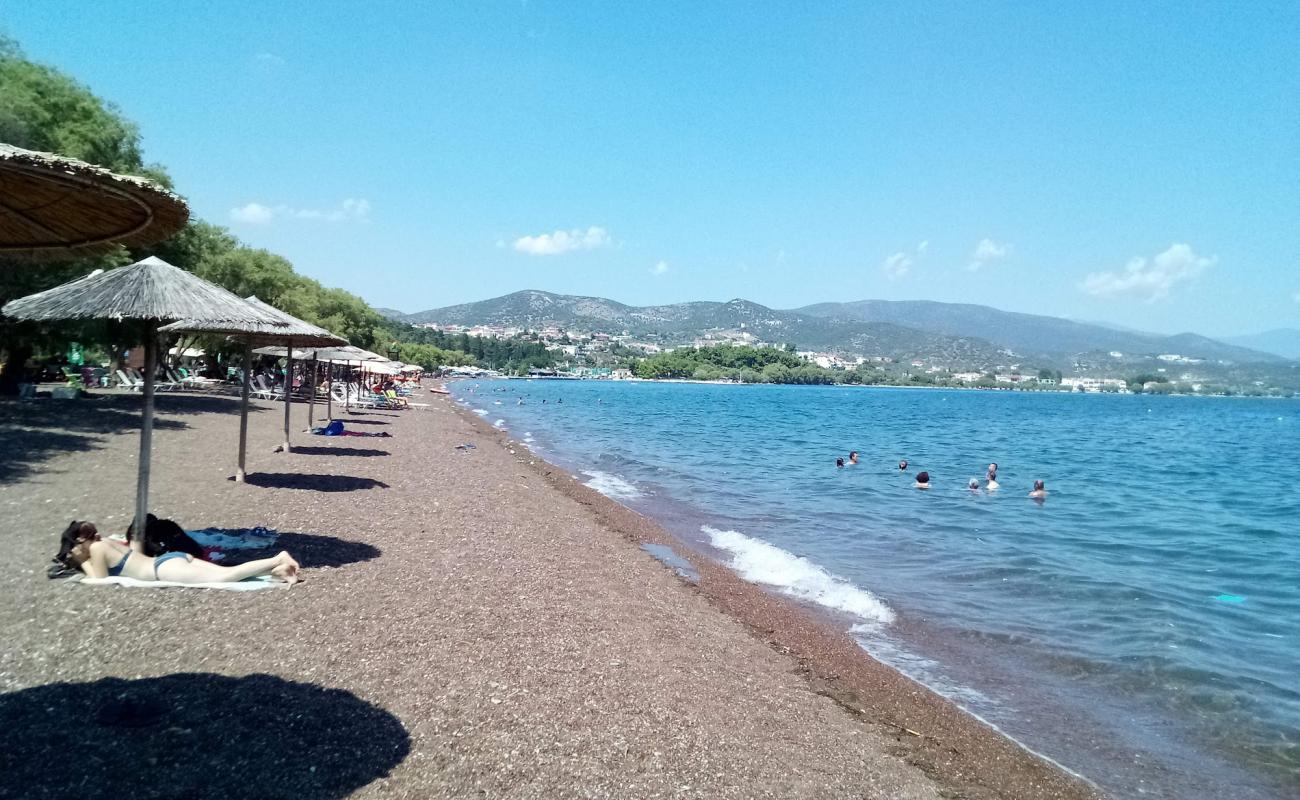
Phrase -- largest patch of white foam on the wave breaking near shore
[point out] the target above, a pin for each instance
(761, 563)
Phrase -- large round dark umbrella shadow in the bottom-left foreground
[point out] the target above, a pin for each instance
(194, 736)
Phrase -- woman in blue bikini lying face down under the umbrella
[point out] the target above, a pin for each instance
(83, 548)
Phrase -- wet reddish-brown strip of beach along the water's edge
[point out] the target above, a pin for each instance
(956, 747)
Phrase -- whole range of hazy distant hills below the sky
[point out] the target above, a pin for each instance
(956, 334)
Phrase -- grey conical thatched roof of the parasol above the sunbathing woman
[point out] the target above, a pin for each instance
(150, 289)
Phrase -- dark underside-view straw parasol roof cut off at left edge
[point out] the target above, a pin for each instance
(58, 207)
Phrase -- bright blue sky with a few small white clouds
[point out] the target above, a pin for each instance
(1126, 163)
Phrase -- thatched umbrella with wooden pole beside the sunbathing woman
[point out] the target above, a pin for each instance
(153, 292)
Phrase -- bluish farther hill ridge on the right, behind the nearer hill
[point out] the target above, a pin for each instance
(1033, 335)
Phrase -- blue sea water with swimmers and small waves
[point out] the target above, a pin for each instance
(1139, 626)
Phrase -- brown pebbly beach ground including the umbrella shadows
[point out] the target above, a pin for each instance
(473, 624)
